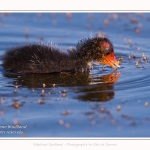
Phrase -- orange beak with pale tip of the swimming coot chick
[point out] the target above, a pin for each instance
(110, 60)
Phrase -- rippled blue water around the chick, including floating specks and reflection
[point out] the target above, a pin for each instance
(102, 104)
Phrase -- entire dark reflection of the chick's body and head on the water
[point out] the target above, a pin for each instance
(88, 88)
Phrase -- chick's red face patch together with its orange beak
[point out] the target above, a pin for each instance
(108, 57)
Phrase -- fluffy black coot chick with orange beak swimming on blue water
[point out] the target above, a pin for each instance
(39, 58)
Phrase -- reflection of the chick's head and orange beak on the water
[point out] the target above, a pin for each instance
(103, 90)
